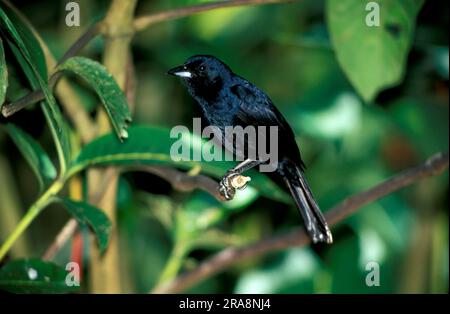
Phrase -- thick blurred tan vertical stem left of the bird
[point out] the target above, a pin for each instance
(118, 31)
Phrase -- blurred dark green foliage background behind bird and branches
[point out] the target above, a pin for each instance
(348, 145)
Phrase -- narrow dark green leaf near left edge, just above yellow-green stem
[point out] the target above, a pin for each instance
(33, 153)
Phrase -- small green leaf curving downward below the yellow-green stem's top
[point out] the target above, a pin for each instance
(95, 218)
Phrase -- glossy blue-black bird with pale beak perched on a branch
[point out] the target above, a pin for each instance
(227, 99)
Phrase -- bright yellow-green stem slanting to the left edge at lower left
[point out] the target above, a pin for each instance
(31, 214)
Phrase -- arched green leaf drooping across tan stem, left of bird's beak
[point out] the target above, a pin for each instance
(107, 89)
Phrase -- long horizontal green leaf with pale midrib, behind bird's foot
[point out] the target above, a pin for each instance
(152, 145)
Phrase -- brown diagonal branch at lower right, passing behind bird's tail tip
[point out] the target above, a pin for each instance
(228, 257)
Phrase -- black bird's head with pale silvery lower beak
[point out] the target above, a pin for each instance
(203, 73)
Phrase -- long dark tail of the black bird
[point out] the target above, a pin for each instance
(314, 220)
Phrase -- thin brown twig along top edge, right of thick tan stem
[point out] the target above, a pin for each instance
(143, 22)
